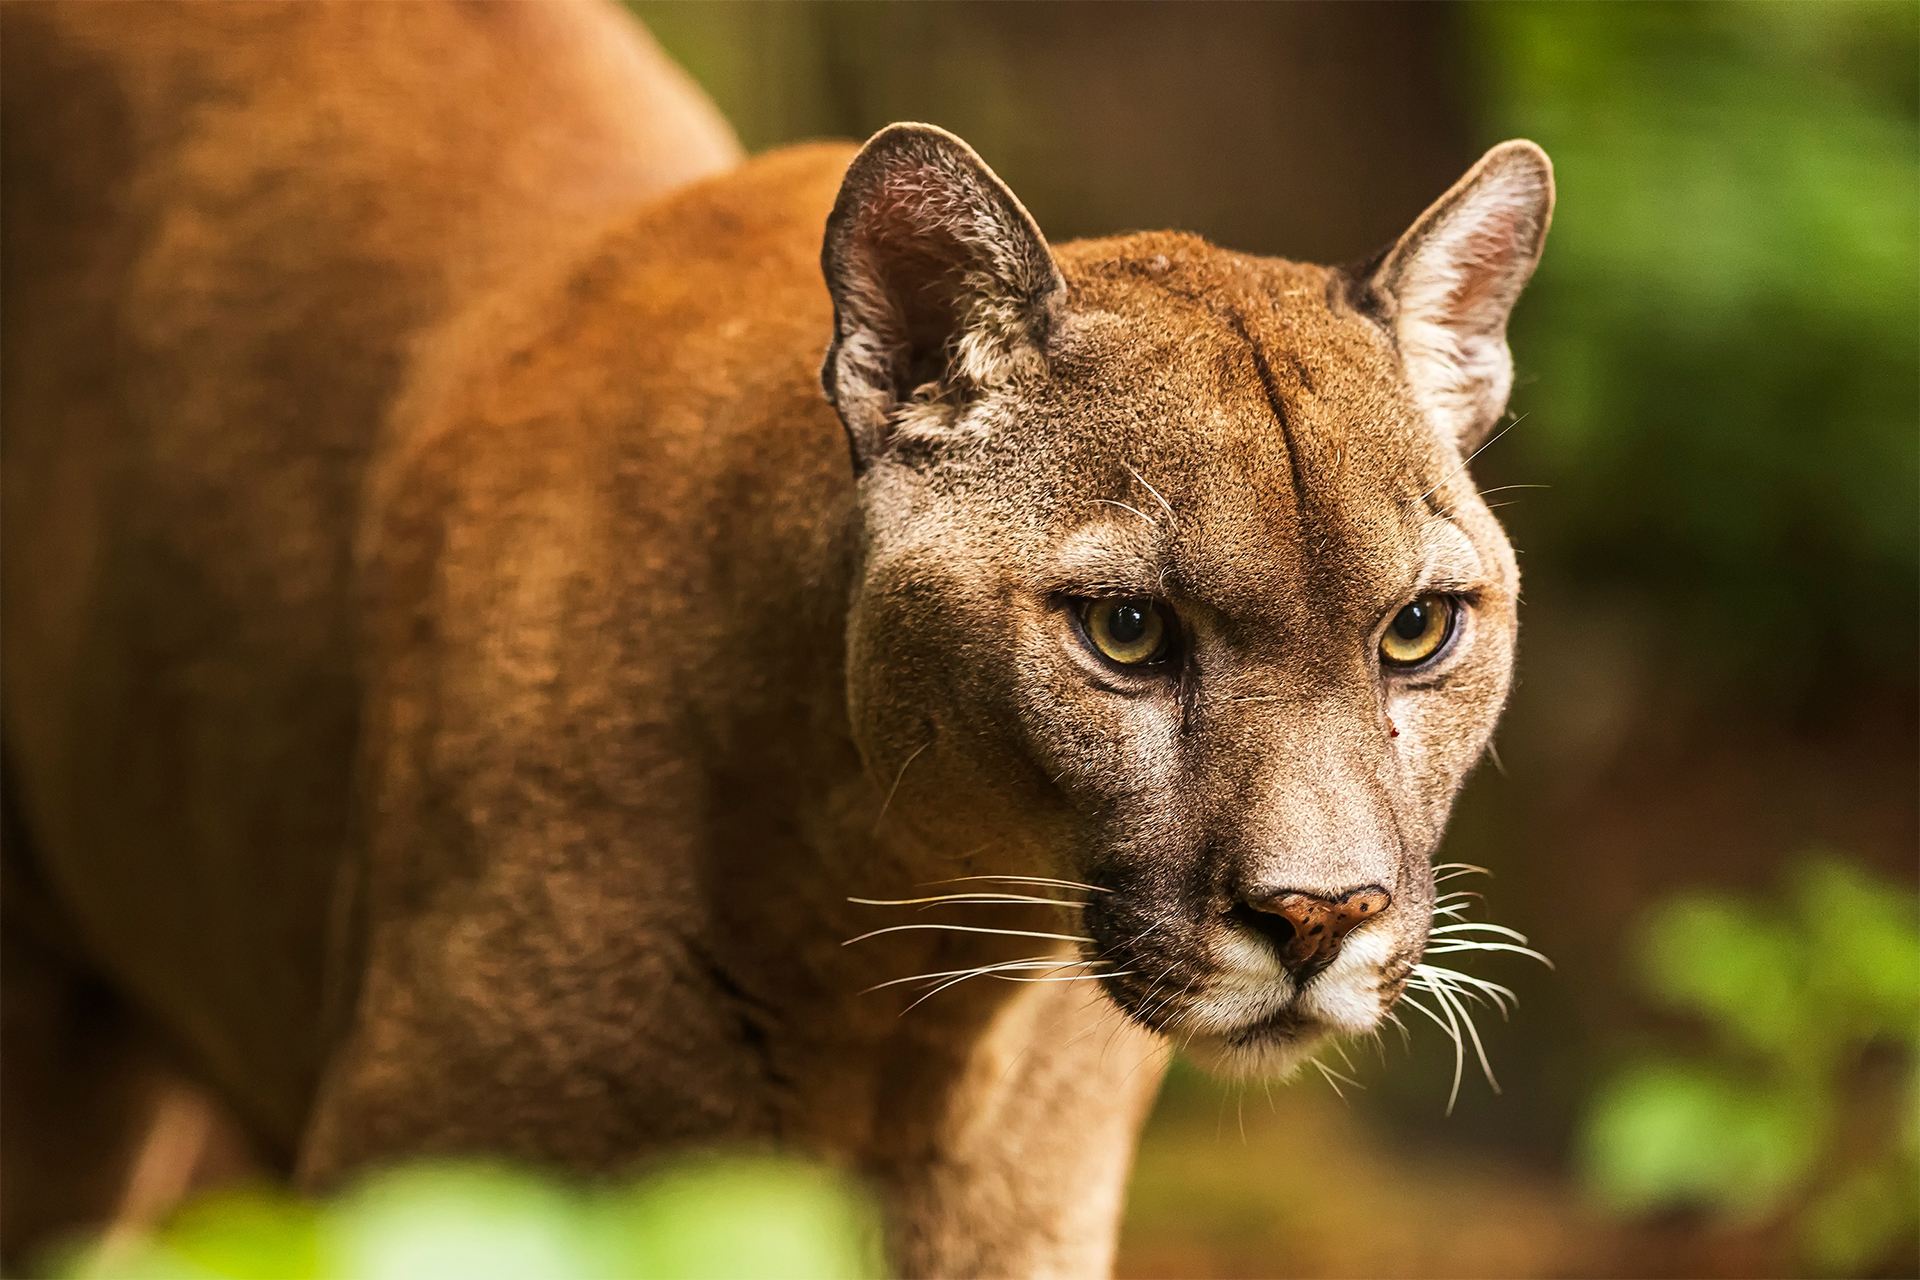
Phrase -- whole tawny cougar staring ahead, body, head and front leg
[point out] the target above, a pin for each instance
(531, 636)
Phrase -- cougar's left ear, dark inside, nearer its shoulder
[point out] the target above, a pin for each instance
(942, 285)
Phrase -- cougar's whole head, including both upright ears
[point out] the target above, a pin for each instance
(1174, 579)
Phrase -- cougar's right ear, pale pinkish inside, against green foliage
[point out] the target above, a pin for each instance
(1449, 285)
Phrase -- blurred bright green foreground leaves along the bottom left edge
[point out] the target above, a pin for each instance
(473, 1221)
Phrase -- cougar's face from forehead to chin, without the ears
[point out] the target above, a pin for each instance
(1205, 615)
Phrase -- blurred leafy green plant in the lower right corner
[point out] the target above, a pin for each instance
(1794, 997)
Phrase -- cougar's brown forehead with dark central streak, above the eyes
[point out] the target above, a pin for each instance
(1272, 419)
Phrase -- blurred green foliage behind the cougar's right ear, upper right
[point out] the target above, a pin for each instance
(1719, 356)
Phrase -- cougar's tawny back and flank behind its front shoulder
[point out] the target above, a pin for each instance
(229, 233)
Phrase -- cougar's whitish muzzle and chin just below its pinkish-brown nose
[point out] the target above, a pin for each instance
(1257, 1020)
